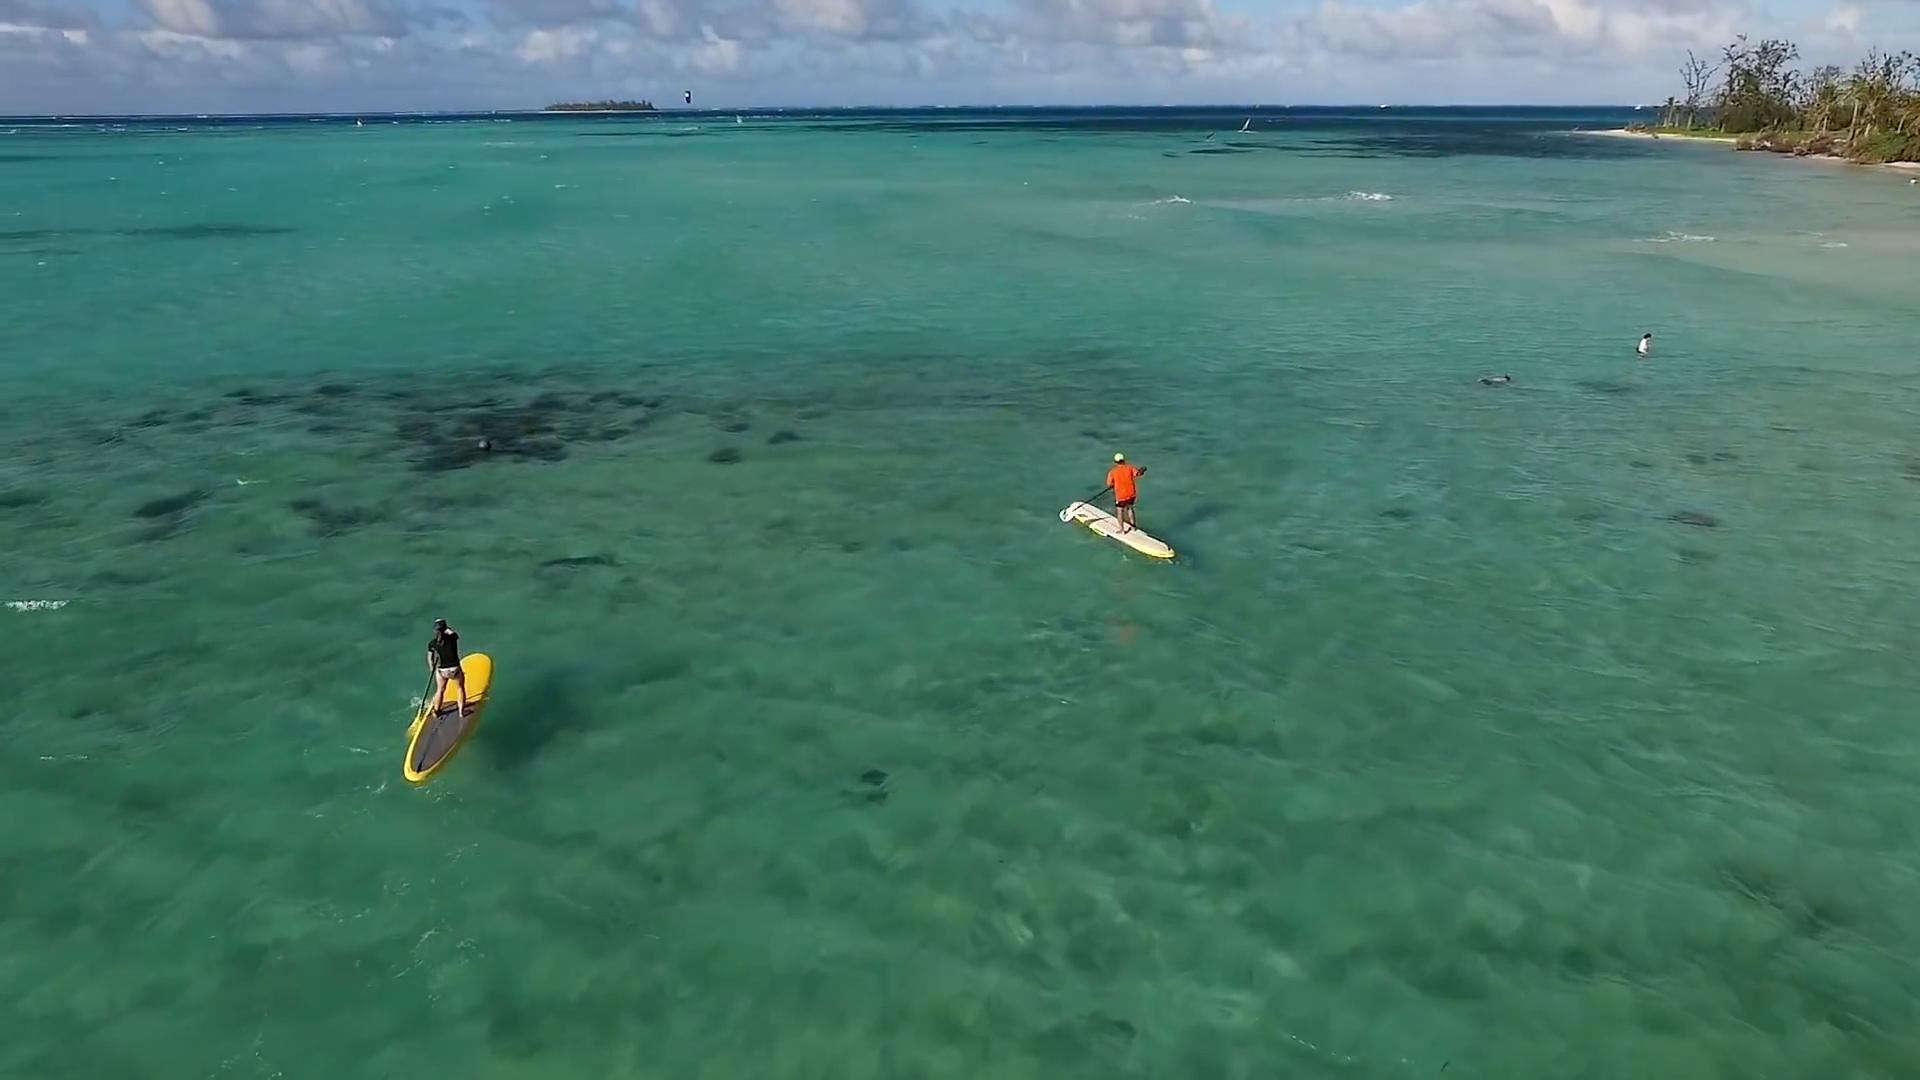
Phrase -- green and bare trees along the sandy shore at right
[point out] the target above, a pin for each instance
(1867, 114)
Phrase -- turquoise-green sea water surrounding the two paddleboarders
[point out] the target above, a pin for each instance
(1554, 729)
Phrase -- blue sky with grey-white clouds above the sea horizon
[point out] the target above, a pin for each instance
(473, 55)
